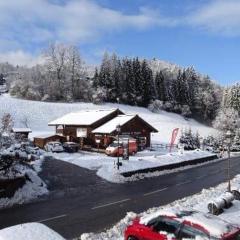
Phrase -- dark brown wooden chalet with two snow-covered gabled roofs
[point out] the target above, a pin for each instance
(98, 127)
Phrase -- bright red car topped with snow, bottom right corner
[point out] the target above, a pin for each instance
(175, 224)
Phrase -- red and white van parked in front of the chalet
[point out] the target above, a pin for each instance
(116, 149)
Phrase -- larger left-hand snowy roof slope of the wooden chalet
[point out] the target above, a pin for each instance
(82, 118)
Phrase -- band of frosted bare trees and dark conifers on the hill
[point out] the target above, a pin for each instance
(152, 83)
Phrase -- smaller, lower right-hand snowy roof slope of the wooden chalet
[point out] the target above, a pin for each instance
(111, 125)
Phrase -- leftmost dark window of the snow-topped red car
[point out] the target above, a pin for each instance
(164, 224)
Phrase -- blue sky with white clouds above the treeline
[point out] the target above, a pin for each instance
(202, 33)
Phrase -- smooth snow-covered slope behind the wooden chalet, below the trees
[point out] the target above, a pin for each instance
(38, 114)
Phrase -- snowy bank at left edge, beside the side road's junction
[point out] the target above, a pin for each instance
(30, 190)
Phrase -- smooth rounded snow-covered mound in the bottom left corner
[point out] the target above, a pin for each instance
(29, 231)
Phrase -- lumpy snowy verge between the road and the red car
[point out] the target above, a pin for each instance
(197, 202)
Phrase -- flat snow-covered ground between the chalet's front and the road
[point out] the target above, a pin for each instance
(106, 166)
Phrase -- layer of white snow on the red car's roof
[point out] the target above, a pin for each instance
(214, 225)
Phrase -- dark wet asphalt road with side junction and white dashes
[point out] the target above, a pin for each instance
(79, 201)
